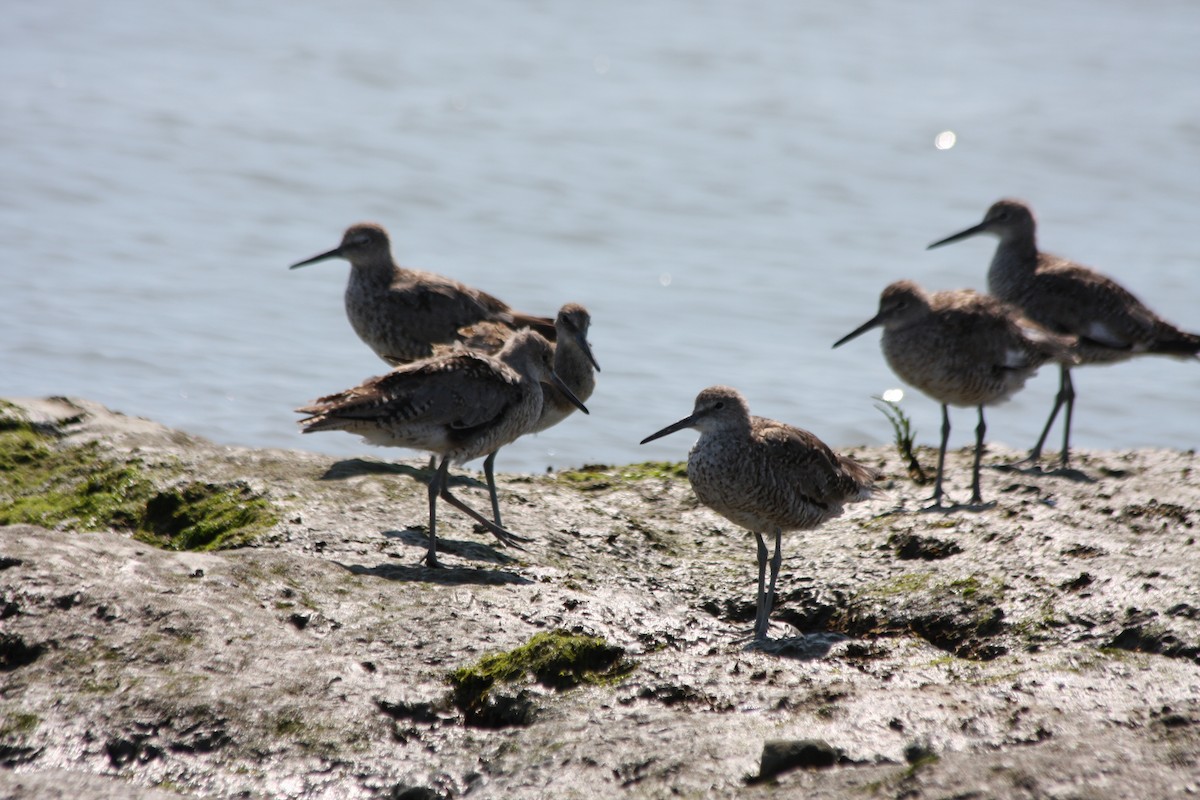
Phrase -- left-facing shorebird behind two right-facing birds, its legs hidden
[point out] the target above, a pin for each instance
(403, 314)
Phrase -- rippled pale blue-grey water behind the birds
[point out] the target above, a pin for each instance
(727, 187)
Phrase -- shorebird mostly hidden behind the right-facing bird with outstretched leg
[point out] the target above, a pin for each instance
(574, 364)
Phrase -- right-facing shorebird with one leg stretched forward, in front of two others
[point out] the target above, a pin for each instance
(458, 406)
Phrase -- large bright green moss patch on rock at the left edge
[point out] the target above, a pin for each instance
(82, 488)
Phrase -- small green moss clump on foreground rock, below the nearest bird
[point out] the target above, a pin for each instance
(556, 659)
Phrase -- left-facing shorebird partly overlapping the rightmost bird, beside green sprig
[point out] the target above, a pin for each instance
(962, 348)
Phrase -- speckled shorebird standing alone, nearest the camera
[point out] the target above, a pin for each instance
(766, 477)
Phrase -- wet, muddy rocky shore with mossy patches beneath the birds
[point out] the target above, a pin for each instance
(1046, 646)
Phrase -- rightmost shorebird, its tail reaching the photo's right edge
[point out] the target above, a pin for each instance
(1067, 298)
